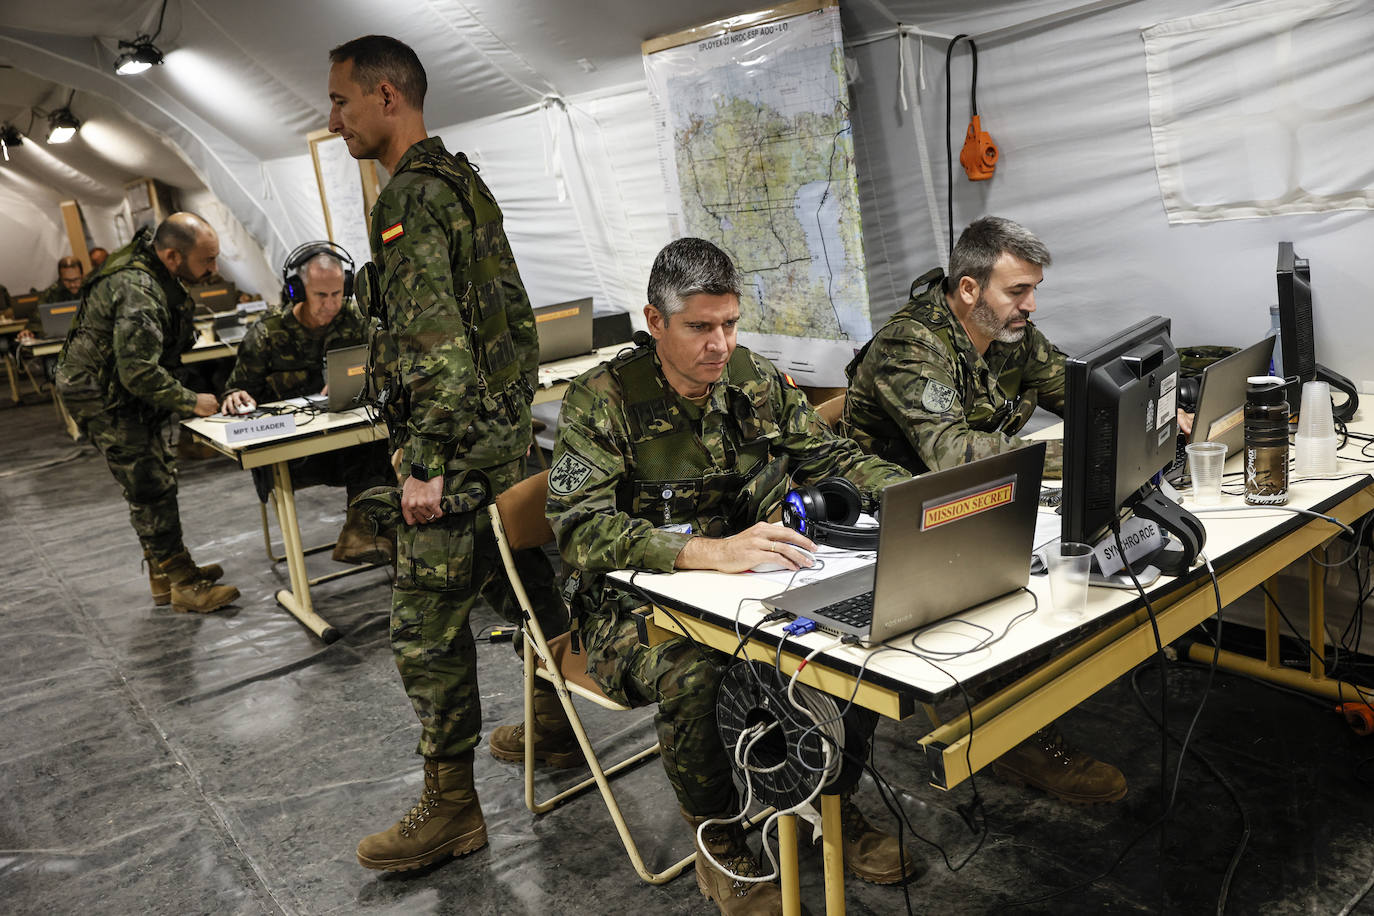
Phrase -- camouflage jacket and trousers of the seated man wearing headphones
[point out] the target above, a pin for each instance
(280, 359)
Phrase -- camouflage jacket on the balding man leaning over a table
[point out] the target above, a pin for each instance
(128, 337)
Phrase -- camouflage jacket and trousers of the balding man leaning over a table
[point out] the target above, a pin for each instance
(116, 380)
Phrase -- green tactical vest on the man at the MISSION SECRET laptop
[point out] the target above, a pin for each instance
(677, 481)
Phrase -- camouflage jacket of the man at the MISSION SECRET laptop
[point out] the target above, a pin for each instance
(611, 510)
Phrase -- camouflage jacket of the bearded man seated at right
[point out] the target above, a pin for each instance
(923, 396)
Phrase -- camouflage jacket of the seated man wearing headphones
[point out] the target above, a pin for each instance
(281, 358)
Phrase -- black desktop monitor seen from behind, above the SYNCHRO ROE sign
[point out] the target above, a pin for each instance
(1120, 426)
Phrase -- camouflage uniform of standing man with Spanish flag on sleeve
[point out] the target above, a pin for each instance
(453, 363)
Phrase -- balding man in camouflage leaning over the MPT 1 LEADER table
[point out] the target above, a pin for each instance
(116, 380)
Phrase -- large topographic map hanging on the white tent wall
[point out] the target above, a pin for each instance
(756, 149)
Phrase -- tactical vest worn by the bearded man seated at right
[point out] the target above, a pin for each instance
(1008, 411)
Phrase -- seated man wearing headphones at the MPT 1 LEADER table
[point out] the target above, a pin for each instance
(282, 356)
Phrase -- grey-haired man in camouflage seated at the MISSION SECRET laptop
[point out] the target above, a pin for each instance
(671, 458)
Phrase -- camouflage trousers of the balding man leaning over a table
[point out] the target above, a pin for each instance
(142, 463)
